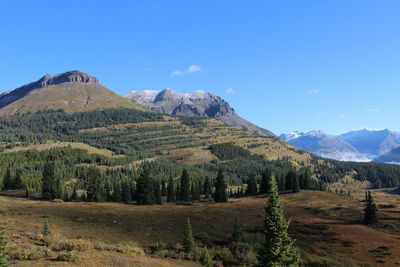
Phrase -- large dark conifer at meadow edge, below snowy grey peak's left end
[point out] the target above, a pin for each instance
(144, 187)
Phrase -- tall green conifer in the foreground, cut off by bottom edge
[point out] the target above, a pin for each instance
(278, 248)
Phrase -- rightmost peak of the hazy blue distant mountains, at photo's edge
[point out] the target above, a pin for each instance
(372, 142)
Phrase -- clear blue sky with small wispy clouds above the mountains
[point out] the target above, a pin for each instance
(284, 65)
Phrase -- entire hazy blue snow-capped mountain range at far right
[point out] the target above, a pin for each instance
(362, 145)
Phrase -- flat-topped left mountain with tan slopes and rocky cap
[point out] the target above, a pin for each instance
(70, 91)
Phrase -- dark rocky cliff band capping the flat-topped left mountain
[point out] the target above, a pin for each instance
(67, 77)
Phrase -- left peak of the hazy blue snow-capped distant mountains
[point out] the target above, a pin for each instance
(324, 145)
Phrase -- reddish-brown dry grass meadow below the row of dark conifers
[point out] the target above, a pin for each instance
(324, 224)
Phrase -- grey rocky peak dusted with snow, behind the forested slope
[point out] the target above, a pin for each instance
(198, 103)
